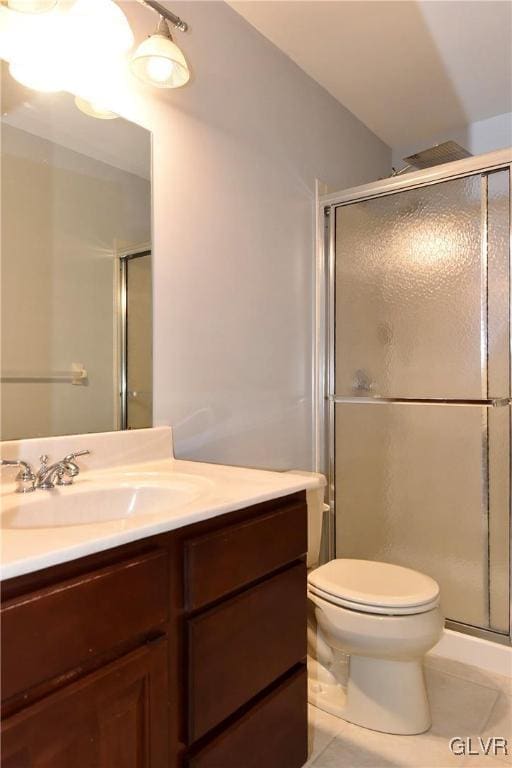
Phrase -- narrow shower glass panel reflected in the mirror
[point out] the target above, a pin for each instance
(139, 343)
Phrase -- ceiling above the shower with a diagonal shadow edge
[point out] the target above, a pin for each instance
(409, 70)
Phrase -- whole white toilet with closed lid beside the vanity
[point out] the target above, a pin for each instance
(370, 625)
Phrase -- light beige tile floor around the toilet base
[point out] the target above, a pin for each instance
(465, 701)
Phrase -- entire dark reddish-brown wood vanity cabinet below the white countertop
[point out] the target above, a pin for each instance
(183, 649)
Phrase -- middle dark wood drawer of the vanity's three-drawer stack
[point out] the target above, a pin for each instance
(240, 647)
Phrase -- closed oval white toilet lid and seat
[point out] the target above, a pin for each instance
(366, 585)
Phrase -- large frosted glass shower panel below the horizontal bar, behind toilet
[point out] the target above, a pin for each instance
(411, 489)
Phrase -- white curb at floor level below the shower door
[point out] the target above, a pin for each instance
(467, 649)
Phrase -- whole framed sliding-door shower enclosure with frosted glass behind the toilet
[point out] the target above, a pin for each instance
(416, 380)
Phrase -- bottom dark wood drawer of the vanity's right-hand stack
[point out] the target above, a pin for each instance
(272, 734)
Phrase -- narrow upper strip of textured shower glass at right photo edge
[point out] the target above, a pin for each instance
(498, 282)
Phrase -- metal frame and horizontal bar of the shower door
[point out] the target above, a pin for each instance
(325, 332)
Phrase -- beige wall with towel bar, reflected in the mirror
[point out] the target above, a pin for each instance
(62, 216)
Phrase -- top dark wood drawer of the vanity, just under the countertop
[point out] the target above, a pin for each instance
(221, 562)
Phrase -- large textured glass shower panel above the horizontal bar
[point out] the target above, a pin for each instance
(409, 282)
